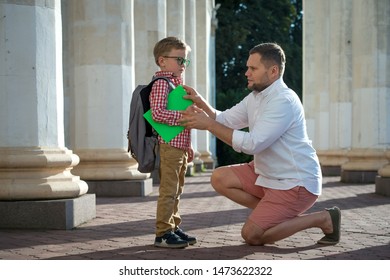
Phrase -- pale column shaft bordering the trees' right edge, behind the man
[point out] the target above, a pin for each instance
(316, 69)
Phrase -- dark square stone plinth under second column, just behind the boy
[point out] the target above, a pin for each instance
(121, 188)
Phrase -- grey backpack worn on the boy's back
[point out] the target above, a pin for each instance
(142, 139)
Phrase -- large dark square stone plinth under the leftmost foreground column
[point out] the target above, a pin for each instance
(47, 214)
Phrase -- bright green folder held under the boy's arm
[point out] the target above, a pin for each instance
(175, 102)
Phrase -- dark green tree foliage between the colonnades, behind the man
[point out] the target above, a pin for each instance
(242, 24)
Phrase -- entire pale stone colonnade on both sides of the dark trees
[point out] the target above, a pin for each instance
(67, 70)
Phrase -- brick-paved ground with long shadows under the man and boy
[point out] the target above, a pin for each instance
(123, 230)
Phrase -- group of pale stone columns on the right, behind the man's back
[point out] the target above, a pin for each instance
(345, 85)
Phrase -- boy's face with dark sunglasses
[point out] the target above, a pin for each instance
(173, 62)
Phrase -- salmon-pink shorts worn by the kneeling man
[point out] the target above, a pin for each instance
(275, 206)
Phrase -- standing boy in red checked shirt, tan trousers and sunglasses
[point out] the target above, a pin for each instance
(171, 56)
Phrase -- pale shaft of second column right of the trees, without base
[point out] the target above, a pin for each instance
(340, 75)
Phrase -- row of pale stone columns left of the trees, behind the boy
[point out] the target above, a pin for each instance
(67, 71)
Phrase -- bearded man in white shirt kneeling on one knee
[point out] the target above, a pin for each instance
(284, 179)
